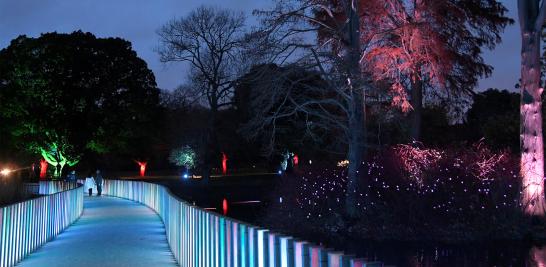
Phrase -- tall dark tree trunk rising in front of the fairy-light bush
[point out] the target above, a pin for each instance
(356, 108)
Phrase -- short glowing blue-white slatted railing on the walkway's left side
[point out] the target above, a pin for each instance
(27, 225)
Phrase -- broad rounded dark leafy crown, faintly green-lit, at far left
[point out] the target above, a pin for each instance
(77, 91)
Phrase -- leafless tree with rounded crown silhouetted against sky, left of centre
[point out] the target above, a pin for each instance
(211, 41)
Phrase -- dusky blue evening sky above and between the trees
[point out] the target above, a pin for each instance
(138, 20)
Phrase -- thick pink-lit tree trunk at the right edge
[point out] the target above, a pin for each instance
(531, 19)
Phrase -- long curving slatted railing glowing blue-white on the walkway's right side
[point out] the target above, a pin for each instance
(202, 238)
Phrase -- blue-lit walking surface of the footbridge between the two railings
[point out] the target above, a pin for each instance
(111, 232)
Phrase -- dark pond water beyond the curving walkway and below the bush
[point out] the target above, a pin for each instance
(392, 254)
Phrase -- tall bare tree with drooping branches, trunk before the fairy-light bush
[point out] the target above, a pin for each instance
(337, 102)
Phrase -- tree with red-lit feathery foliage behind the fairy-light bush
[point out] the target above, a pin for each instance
(435, 44)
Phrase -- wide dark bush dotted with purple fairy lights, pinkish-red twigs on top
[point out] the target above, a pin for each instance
(408, 193)
